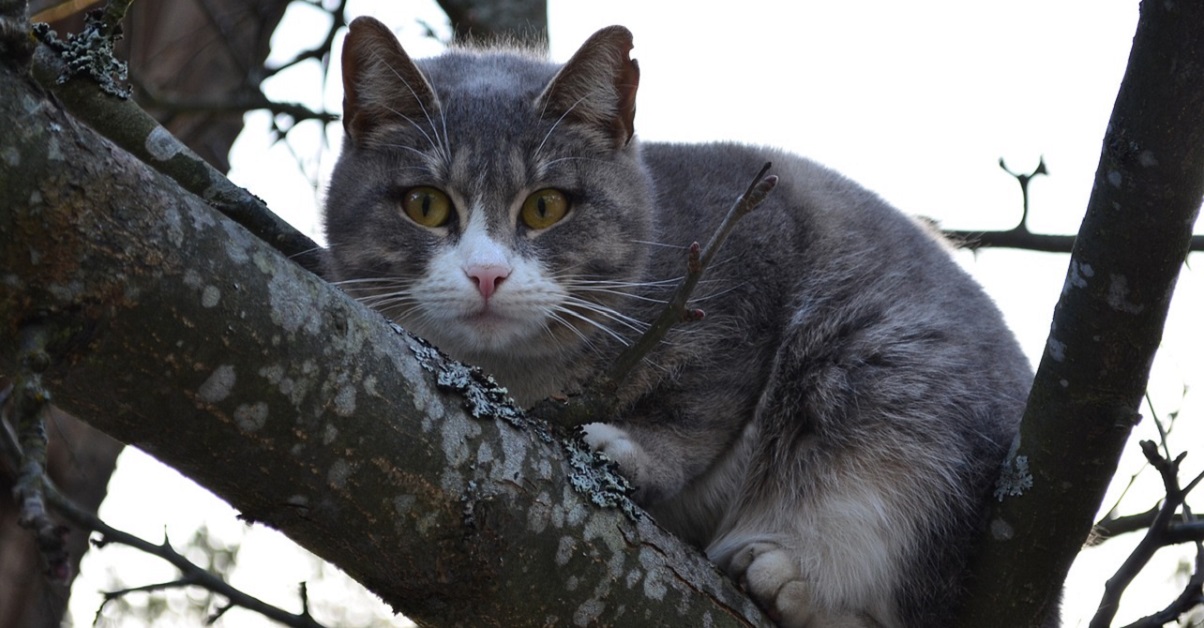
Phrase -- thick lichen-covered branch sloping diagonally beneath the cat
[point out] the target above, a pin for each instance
(178, 331)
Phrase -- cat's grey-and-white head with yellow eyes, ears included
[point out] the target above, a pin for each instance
(488, 200)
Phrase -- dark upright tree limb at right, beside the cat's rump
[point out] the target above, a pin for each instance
(1107, 325)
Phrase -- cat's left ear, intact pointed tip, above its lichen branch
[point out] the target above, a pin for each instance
(382, 87)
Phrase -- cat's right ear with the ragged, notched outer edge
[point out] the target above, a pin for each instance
(598, 87)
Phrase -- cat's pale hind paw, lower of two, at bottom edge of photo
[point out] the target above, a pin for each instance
(771, 576)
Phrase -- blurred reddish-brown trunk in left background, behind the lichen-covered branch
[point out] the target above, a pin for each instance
(190, 52)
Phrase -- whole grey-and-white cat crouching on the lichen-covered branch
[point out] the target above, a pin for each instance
(829, 434)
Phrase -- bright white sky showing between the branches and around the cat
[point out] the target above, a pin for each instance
(916, 100)
